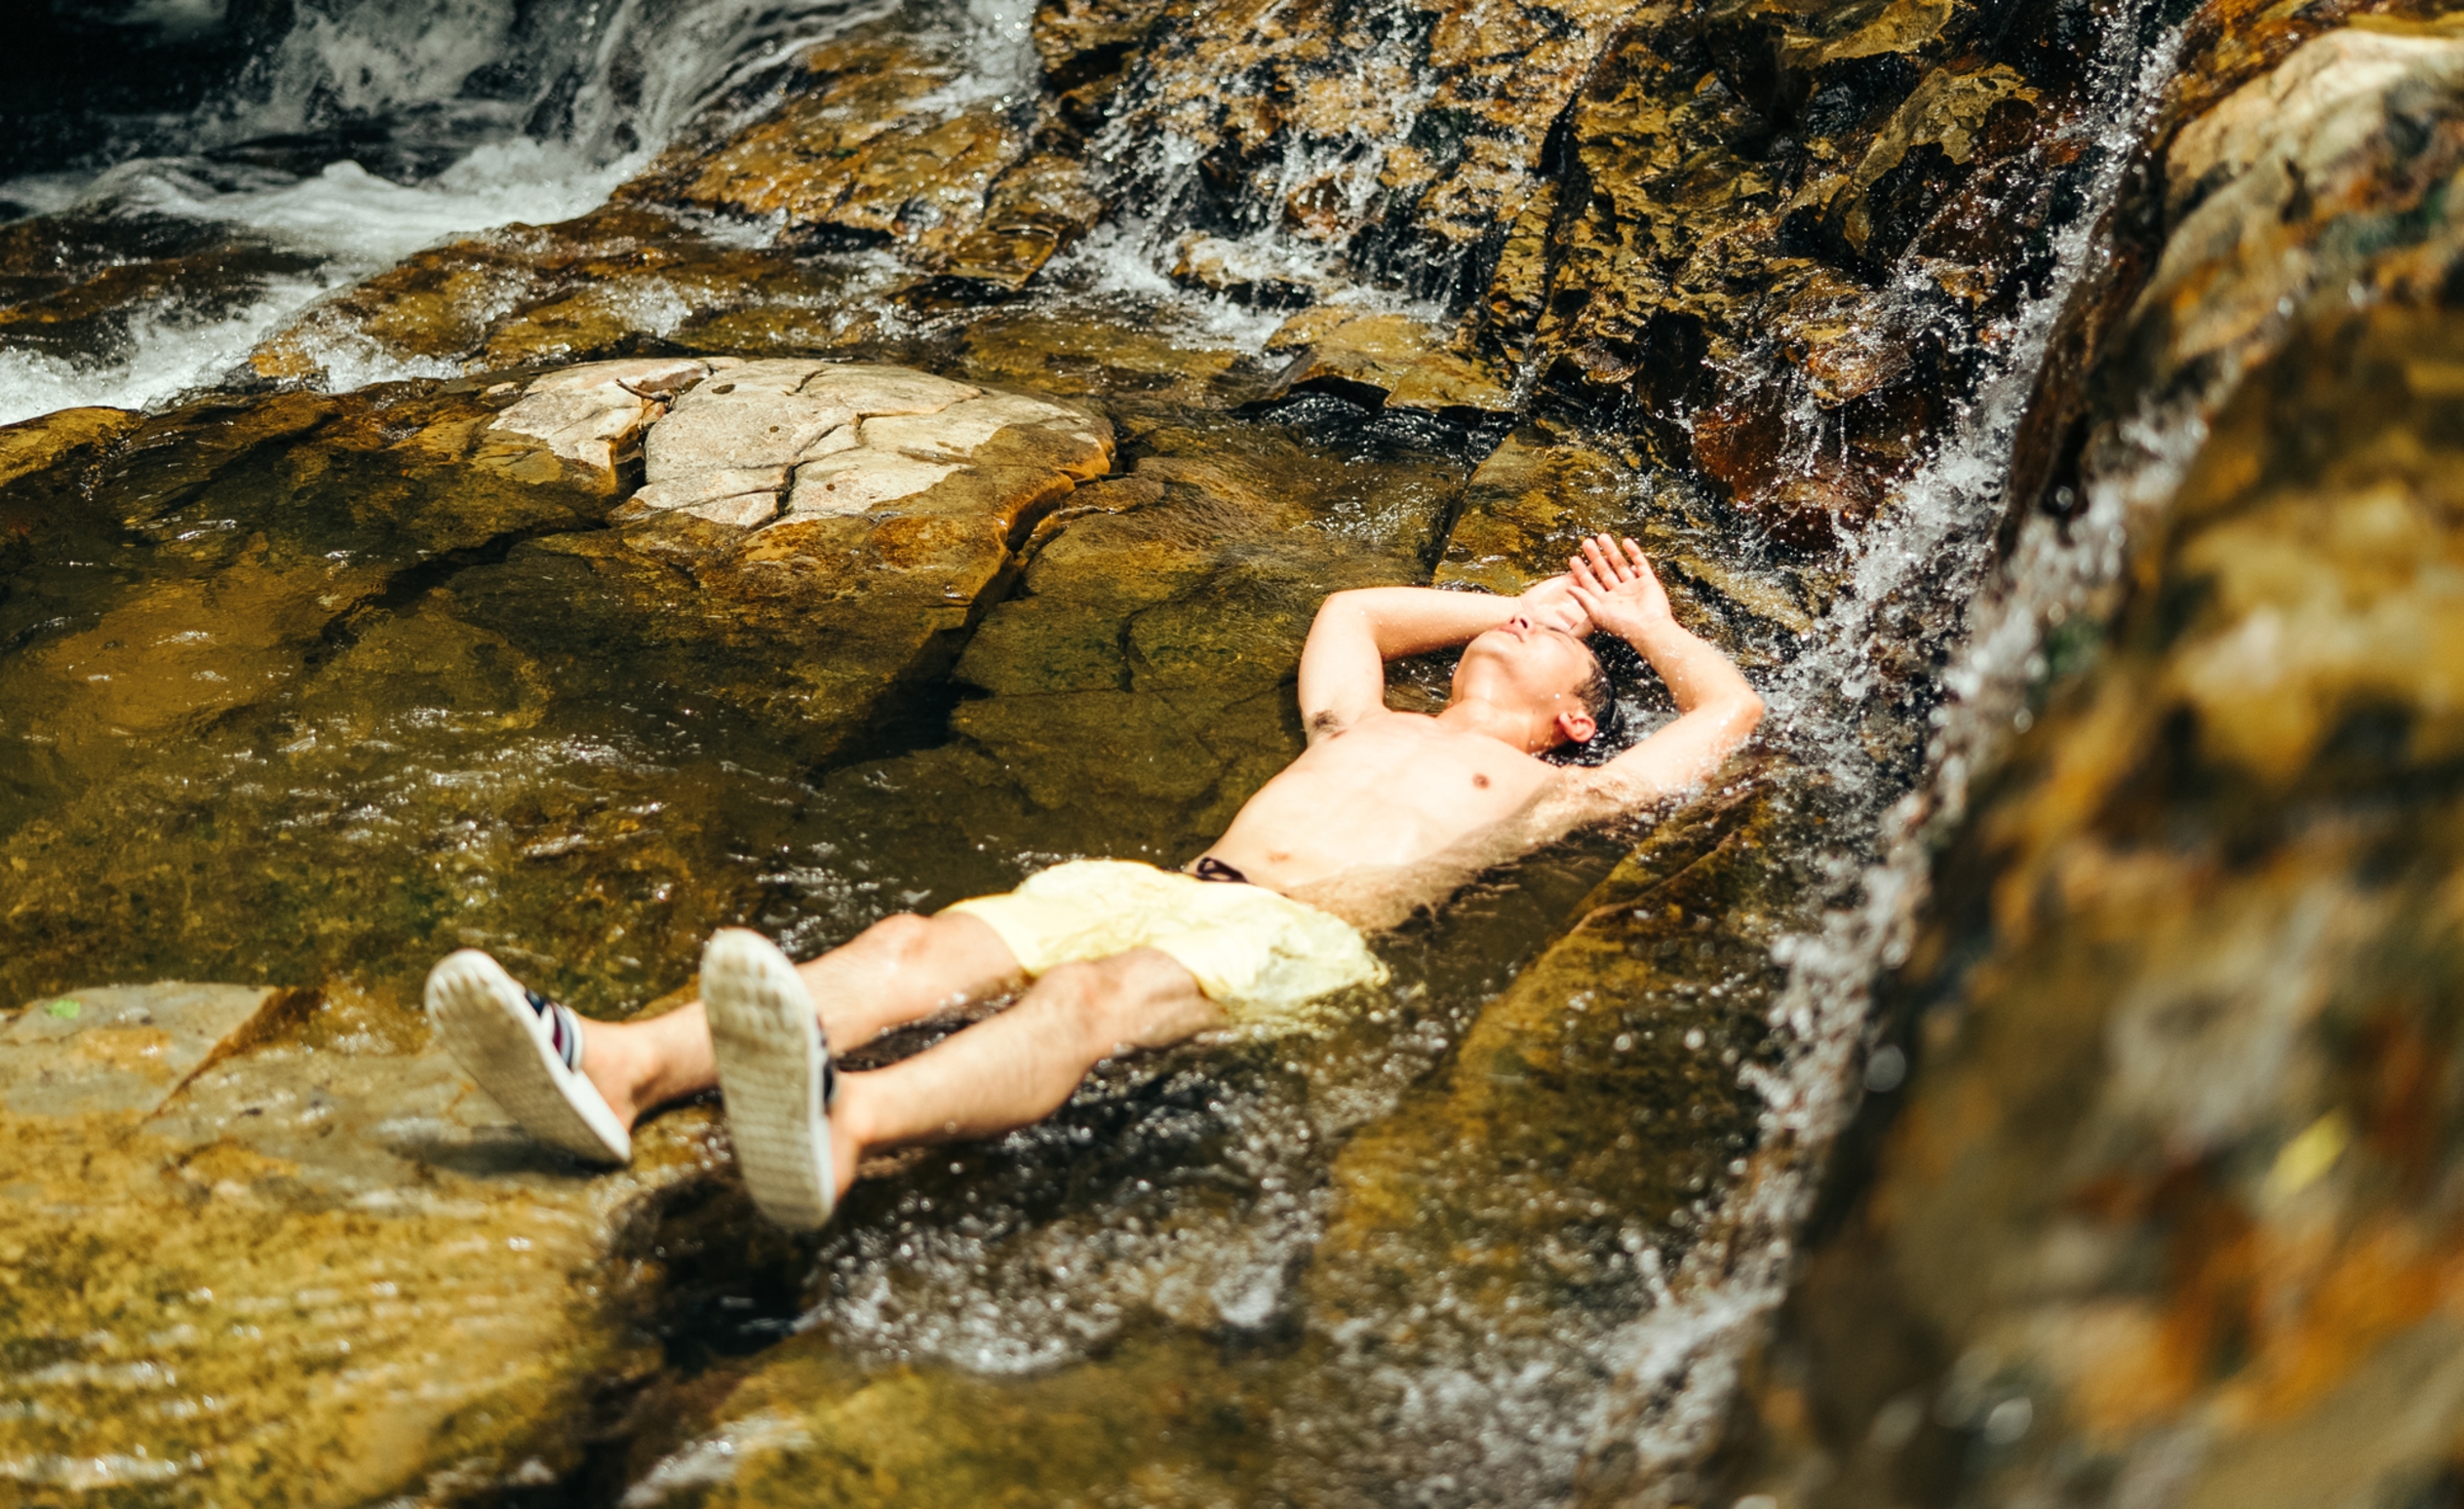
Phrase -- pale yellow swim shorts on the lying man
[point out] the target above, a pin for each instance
(1263, 956)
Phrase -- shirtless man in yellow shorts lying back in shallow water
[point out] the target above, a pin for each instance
(1386, 811)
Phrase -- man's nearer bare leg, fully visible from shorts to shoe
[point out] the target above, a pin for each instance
(1024, 1065)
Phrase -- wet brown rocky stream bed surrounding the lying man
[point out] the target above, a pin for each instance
(2027, 1077)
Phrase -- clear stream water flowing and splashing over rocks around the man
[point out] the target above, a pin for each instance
(450, 730)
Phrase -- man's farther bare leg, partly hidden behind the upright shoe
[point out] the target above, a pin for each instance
(896, 971)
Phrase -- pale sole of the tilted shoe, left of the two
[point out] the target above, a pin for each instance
(504, 1045)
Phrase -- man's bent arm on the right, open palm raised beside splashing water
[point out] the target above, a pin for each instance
(1716, 708)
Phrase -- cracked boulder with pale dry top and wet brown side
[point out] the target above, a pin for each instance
(807, 590)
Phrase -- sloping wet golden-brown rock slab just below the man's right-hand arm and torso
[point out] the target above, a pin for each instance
(1566, 1161)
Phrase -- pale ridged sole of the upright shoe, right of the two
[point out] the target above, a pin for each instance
(770, 1052)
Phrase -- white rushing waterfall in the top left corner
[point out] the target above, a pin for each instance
(368, 132)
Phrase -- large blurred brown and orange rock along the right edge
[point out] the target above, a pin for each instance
(2162, 1212)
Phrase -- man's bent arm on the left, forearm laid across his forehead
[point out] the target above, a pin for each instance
(1361, 629)
